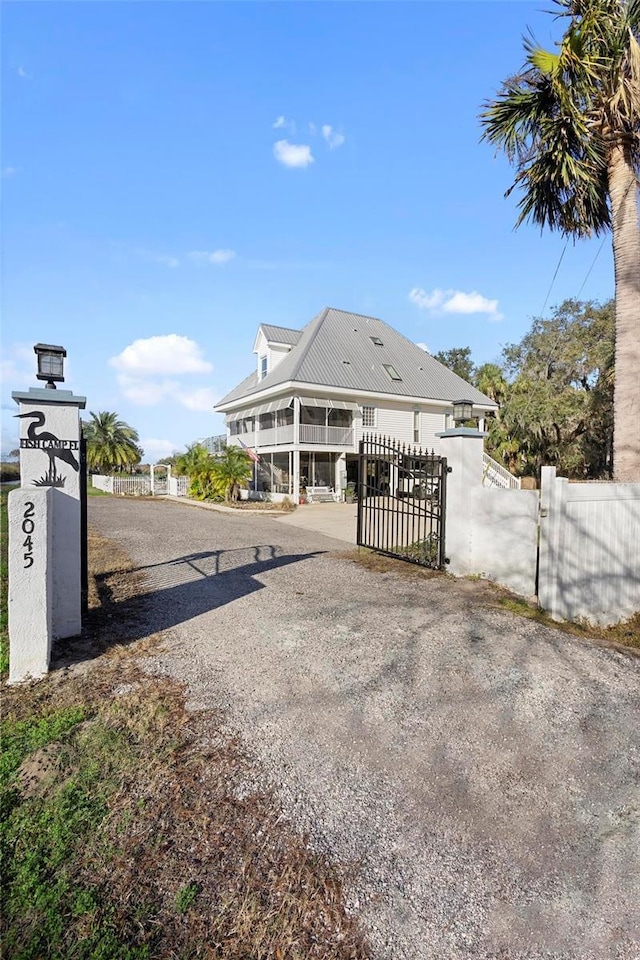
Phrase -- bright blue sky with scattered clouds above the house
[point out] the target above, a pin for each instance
(174, 174)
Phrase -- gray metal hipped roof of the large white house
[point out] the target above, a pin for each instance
(336, 350)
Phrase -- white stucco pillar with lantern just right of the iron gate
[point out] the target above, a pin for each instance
(463, 449)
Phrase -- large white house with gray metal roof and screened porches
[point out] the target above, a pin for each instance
(316, 391)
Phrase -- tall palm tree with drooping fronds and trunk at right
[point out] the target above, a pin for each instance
(570, 122)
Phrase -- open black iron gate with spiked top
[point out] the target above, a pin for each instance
(401, 501)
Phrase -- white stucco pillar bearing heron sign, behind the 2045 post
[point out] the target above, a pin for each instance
(50, 460)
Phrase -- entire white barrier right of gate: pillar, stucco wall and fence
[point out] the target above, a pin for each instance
(584, 537)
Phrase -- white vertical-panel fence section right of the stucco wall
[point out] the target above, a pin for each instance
(589, 549)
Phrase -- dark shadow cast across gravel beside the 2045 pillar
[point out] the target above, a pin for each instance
(170, 593)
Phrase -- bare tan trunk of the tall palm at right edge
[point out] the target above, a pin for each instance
(623, 192)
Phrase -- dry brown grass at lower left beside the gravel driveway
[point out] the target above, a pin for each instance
(188, 856)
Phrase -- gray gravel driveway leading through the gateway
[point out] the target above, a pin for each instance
(477, 772)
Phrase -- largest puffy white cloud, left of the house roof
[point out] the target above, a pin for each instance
(171, 354)
